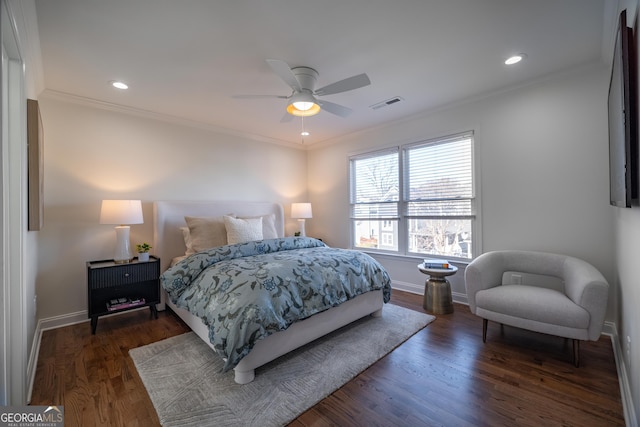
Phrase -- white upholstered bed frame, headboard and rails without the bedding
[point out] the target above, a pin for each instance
(169, 243)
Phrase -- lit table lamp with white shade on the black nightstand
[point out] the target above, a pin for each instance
(121, 213)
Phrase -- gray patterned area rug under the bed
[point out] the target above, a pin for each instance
(182, 374)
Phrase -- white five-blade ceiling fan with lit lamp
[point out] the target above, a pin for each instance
(303, 101)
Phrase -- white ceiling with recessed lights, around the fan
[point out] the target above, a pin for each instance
(186, 59)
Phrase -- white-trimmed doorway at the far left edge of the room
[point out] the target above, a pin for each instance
(13, 325)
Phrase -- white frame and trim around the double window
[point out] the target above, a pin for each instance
(402, 204)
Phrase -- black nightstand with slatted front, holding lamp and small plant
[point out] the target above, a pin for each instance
(114, 288)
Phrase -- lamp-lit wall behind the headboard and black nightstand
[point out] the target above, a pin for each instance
(93, 154)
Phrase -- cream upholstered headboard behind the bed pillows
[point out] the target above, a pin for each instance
(168, 217)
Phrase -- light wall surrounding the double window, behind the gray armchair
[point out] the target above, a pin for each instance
(542, 154)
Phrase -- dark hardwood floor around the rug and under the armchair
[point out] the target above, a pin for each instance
(442, 376)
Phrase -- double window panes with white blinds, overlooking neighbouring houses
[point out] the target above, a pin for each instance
(418, 199)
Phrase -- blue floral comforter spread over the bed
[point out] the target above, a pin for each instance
(248, 291)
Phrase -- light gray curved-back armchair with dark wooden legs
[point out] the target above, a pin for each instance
(542, 292)
